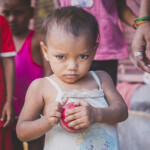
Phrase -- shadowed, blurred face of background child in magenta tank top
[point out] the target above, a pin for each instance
(17, 14)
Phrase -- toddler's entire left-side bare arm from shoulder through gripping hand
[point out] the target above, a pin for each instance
(38, 101)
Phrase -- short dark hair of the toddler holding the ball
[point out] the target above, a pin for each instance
(74, 20)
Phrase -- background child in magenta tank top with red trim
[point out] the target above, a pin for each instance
(29, 61)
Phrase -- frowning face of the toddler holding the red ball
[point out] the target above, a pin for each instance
(69, 56)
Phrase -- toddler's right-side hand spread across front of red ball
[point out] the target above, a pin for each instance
(81, 116)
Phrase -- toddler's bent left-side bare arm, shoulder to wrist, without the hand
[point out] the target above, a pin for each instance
(30, 125)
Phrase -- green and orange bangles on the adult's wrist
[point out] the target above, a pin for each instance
(140, 20)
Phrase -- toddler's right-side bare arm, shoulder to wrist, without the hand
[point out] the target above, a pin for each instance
(117, 110)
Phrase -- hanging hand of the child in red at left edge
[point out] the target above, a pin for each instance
(7, 114)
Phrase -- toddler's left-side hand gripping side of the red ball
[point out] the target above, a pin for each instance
(53, 112)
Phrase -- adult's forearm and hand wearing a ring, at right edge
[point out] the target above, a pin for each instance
(141, 41)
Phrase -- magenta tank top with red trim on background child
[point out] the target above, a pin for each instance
(26, 71)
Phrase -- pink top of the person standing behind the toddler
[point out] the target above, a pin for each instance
(112, 44)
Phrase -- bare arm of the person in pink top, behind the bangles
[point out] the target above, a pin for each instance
(125, 13)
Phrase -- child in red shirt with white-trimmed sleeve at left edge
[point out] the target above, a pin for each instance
(7, 80)
